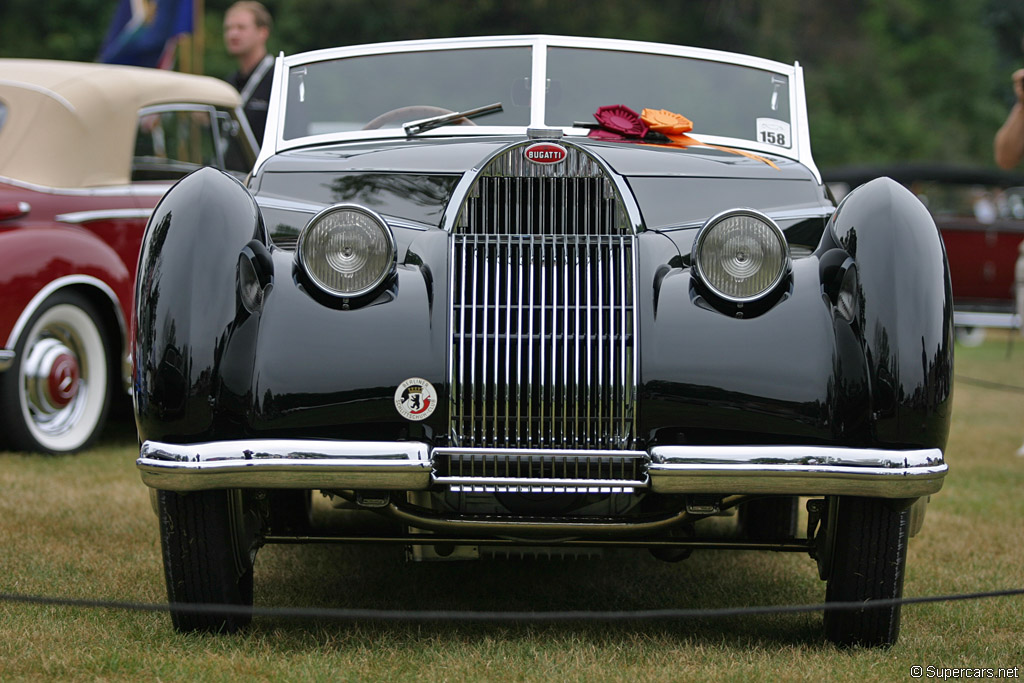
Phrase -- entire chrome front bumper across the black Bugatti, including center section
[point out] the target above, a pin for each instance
(796, 471)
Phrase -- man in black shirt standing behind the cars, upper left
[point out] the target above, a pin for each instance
(247, 28)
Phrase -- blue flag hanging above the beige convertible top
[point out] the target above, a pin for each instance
(144, 33)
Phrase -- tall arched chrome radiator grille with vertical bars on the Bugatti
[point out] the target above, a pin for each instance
(543, 329)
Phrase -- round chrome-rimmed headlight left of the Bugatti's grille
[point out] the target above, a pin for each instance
(347, 250)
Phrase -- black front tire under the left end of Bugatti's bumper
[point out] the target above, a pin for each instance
(209, 545)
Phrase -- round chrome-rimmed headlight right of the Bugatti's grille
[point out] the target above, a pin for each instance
(742, 255)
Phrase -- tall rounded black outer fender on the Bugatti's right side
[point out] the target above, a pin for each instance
(906, 311)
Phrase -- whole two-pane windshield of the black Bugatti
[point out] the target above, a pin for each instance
(740, 99)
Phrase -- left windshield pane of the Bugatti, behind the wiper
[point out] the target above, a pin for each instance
(364, 93)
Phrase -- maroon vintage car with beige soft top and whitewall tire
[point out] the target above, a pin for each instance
(87, 152)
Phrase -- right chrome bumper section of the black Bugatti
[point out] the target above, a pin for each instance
(797, 471)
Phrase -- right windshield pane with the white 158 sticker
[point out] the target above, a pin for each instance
(720, 99)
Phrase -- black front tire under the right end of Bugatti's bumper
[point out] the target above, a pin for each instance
(869, 563)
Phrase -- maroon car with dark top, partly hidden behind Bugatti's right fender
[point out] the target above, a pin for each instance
(980, 214)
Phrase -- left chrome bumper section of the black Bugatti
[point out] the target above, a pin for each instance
(285, 464)
